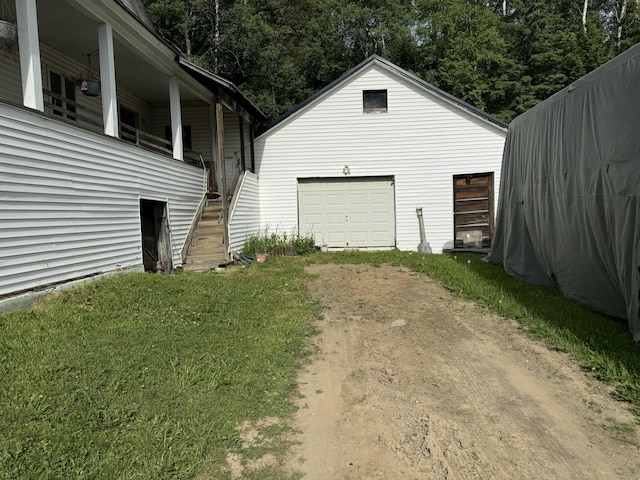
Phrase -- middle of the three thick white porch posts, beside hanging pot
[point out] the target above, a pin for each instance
(108, 80)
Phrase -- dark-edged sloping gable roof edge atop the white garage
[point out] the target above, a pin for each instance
(387, 65)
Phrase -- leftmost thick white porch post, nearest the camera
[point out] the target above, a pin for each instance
(29, 45)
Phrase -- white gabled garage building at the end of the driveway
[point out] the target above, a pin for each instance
(355, 162)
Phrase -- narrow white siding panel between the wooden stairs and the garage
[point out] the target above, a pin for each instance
(244, 217)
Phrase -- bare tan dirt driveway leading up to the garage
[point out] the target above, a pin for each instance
(455, 393)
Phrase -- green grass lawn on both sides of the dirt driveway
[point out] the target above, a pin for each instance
(148, 376)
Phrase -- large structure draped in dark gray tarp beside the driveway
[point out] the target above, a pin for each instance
(569, 211)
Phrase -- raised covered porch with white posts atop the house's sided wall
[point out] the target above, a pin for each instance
(101, 67)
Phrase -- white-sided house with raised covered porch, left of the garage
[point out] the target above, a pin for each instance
(109, 142)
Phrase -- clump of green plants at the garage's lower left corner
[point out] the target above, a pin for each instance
(279, 243)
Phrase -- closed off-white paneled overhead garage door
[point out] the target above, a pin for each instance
(358, 212)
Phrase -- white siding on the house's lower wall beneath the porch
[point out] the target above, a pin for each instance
(69, 200)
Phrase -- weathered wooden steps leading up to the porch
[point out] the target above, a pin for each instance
(207, 250)
